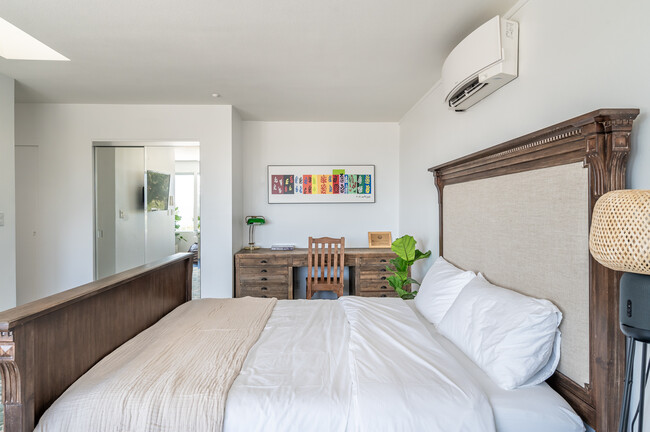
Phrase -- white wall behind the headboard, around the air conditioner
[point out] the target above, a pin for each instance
(574, 57)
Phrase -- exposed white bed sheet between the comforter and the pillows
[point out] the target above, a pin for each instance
(533, 409)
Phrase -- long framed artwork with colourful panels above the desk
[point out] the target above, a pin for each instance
(304, 184)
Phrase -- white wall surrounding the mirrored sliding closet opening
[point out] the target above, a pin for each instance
(64, 134)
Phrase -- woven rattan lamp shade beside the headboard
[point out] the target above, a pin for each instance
(620, 231)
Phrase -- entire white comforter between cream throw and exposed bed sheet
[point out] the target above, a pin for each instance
(357, 364)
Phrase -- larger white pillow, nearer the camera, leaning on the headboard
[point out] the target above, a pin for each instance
(512, 337)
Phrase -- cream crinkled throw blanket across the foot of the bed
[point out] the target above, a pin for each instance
(174, 376)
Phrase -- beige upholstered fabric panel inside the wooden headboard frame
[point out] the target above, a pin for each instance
(531, 236)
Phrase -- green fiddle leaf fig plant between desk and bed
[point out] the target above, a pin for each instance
(407, 254)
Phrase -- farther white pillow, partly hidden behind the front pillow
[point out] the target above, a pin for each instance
(439, 289)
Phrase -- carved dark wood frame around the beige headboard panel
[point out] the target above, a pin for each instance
(600, 140)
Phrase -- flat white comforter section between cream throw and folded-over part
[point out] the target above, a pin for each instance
(296, 377)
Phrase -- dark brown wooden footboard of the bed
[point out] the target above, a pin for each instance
(48, 344)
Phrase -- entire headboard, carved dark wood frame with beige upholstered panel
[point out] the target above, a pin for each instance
(540, 185)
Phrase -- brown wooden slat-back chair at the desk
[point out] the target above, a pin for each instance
(325, 268)
